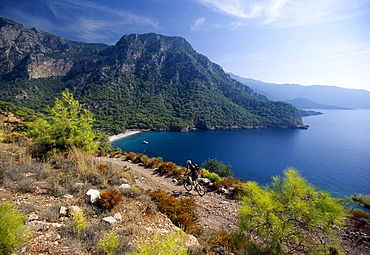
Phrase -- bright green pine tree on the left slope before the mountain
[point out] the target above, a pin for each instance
(66, 126)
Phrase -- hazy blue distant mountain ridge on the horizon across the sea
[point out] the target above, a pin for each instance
(327, 97)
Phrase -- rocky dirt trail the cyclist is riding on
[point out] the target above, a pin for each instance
(215, 211)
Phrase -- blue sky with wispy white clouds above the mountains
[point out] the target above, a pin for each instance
(323, 42)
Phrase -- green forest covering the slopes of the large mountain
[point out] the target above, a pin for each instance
(186, 90)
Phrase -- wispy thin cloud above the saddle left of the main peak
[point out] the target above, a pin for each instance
(93, 22)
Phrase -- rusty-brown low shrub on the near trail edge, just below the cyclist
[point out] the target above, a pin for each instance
(180, 211)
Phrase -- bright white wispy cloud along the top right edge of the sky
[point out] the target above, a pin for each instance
(289, 12)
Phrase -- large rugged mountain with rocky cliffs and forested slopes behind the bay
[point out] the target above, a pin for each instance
(147, 81)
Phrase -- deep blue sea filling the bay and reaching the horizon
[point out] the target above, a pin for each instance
(332, 154)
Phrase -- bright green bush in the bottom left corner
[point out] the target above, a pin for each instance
(13, 232)
